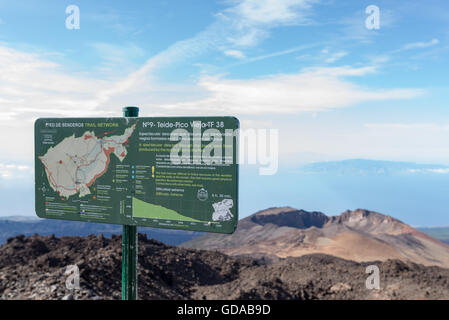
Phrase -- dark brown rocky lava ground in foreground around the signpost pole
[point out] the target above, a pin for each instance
(33, 268)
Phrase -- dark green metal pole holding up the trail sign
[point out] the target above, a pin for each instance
(129, 244)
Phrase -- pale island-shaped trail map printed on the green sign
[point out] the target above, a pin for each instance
(74, 164)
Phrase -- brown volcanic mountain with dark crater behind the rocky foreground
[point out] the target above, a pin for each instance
(359, 235)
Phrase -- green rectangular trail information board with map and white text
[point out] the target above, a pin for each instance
(176, 173)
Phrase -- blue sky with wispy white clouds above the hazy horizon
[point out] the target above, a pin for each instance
(334, 88)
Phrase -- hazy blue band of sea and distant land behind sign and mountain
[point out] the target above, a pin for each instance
(411, 192)
